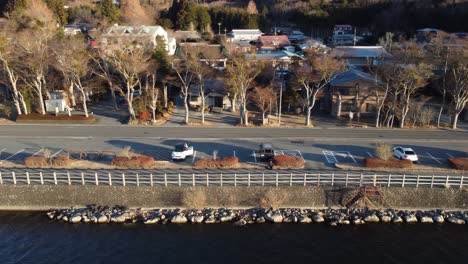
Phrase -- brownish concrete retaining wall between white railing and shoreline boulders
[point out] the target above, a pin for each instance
(43, 197)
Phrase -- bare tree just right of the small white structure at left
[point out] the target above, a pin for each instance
(73, 60)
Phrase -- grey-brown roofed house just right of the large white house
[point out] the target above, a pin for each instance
(212, 54)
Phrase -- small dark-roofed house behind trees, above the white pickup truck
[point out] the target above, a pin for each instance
(216, 94)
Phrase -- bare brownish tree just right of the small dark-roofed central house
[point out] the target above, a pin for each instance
(241, 73)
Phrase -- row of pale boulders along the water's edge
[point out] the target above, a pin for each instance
(242, 217)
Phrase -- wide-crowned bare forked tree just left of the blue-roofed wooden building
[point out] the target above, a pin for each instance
(314, 75)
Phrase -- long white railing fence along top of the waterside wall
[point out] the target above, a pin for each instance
(233, 179)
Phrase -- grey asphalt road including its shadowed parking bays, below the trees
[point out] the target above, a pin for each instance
(320, 147)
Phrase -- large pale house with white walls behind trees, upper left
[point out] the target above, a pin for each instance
(145, 35)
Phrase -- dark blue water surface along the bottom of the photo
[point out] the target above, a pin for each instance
(32, 238)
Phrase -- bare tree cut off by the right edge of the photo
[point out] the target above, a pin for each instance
(458, 88)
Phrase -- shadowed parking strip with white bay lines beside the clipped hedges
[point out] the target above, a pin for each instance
(316, 154)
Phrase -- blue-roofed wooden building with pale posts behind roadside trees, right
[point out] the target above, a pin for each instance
(352, 90)
